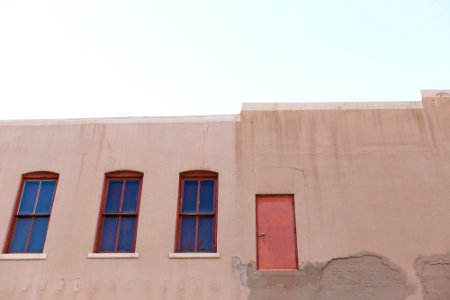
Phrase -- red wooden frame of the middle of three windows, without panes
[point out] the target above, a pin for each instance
(118, 175)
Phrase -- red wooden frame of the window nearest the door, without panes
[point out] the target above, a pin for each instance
(196, 175)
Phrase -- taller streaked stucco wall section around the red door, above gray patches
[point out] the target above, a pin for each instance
(373, 179)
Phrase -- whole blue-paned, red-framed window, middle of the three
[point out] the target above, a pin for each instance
(119, 212)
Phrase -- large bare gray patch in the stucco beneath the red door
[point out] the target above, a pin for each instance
(362, 276)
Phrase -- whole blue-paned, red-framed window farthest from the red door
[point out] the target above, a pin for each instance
(32, 213)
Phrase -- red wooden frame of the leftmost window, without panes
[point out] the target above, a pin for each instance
(41, 176)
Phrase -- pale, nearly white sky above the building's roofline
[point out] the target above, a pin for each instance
(97, 58)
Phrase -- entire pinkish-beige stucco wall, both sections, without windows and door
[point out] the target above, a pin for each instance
(371, 184)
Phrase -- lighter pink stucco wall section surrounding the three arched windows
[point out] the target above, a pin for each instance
(81, 152)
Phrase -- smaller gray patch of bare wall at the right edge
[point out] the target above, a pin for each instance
(434, 273)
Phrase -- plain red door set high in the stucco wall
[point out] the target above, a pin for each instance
(275, 232)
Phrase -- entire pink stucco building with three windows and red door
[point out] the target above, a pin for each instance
(283, 201)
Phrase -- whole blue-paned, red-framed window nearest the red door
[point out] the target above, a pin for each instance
(197, 212)
